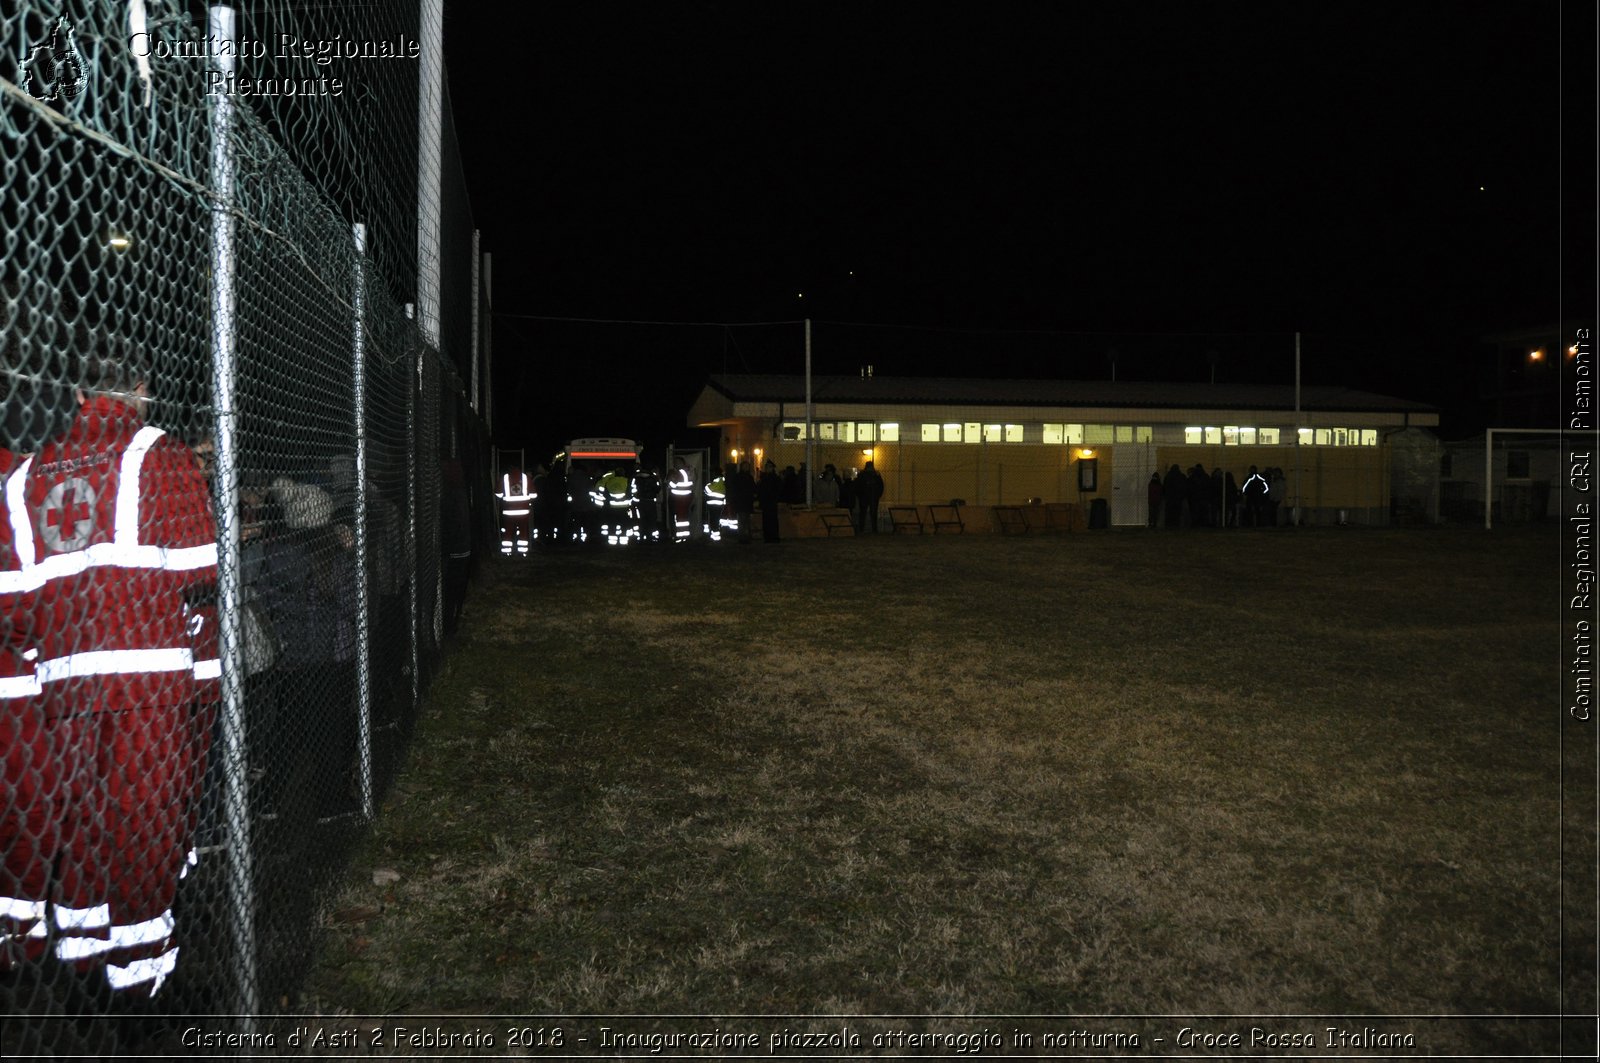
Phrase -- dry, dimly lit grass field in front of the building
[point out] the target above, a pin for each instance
(1202, 774)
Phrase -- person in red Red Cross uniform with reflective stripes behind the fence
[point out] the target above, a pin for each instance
(110, 556)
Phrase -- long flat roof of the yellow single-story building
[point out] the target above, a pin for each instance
(1050, 393)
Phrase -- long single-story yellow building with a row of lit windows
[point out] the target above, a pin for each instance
(1350, 455)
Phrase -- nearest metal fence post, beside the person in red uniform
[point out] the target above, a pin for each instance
(241, 891)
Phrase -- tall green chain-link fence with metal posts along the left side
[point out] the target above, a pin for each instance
(244, 326)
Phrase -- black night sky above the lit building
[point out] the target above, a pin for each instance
(1020, 190)
